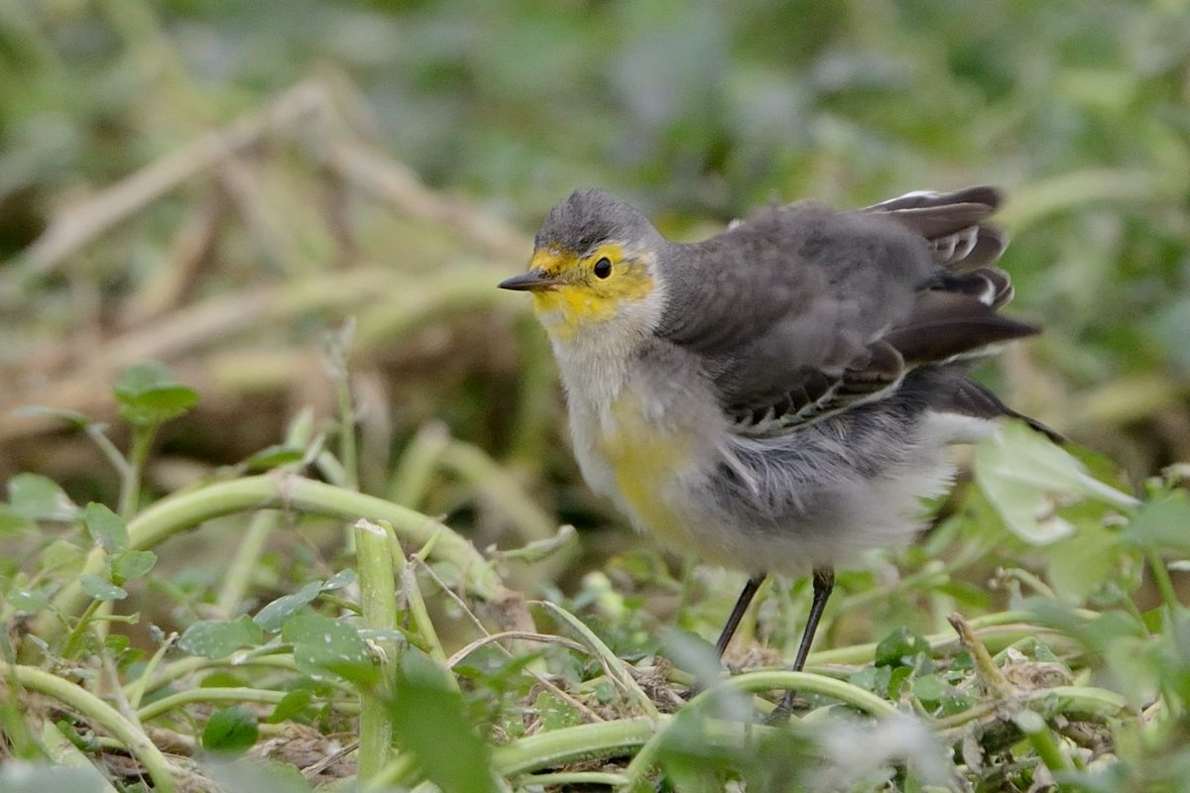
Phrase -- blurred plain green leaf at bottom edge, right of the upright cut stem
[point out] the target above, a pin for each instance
(429, 722)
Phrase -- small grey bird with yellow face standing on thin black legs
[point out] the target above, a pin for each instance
(778, 398)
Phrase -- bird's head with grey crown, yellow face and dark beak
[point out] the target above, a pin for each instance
(594, 269)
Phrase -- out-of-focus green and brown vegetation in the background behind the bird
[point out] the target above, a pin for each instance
(166, 192)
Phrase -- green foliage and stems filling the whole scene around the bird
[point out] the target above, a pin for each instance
(1074, 586)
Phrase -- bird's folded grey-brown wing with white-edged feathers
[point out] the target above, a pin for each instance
(800, 313)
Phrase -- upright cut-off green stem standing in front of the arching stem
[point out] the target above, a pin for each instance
(378, 596)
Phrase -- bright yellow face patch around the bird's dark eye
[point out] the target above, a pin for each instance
(575, 292)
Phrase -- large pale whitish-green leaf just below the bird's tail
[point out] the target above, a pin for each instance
(1028, 478)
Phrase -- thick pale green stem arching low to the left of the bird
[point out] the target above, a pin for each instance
(187, 510)
